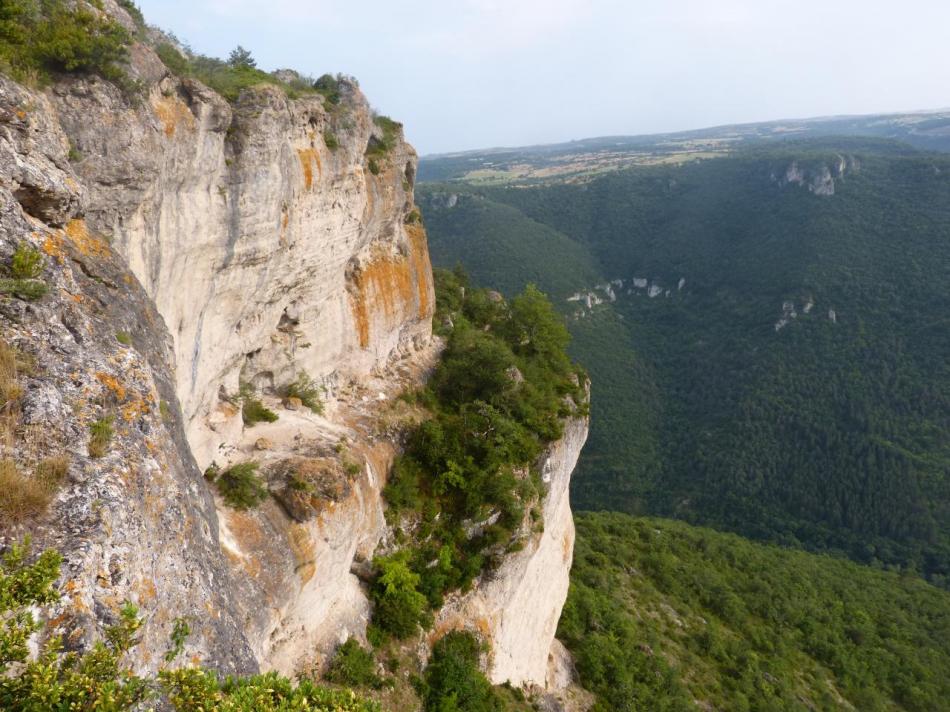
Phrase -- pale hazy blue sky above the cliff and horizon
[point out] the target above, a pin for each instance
(477, 73)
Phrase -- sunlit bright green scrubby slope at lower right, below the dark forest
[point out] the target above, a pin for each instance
(660, 614)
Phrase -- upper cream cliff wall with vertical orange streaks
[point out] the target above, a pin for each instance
(265, 251)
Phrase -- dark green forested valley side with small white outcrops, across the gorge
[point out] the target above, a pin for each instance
(768, 336)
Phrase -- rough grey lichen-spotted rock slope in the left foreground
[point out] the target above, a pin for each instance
(136, 524)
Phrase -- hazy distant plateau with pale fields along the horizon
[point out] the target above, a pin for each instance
(578, 160)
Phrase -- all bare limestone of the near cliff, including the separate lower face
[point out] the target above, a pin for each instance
(196, 251)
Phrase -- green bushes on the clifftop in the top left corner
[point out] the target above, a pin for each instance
(39, 38)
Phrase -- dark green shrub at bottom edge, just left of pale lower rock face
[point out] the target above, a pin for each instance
(453, 680)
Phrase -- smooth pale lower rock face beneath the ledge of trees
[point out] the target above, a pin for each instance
(517, 607)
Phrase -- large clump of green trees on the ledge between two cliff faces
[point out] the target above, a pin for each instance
(499, 394)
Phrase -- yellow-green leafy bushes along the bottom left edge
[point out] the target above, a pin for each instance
(102, 679)
